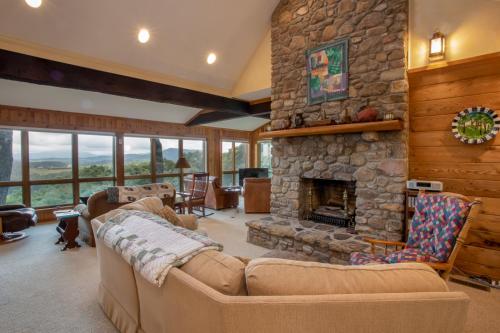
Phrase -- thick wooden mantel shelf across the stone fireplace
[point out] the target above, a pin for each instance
(376, 126)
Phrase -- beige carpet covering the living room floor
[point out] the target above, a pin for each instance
(45, 290)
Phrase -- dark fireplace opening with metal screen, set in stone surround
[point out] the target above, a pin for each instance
(329, 201)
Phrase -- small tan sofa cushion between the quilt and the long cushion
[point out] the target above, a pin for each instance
(218, 270)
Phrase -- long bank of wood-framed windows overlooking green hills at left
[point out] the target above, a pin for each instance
(61, 167)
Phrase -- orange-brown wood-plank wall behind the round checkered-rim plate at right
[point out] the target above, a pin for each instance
(436, 96)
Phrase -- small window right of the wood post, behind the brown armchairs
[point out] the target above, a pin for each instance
(234, 157)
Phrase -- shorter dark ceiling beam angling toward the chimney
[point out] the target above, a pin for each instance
(261, 110)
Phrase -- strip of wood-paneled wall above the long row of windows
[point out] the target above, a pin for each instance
(57, 120)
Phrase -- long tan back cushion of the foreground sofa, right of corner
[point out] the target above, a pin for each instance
(278, 277)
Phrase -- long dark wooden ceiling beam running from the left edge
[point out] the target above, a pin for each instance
(21, 67)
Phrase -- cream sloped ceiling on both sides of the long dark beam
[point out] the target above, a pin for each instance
(103, 35)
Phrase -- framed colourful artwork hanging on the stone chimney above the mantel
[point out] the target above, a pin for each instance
(327, 72)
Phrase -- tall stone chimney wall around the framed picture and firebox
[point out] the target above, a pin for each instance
(377, 32)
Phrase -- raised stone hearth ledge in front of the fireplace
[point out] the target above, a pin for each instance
(323, 243)
